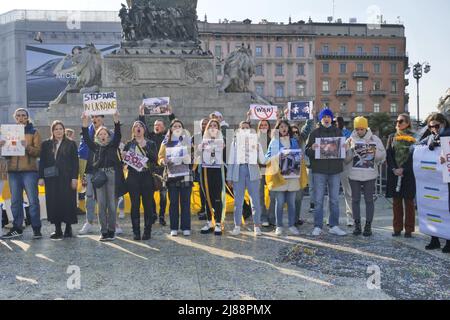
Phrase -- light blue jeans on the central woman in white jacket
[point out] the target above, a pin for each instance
(239, 194)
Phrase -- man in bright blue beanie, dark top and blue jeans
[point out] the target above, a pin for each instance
(326, 172)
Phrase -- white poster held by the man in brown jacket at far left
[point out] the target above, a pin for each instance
(13, 135)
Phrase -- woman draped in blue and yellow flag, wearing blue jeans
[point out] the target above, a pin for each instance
(281, 160)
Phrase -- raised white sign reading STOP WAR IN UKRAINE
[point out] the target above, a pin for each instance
(98, 104)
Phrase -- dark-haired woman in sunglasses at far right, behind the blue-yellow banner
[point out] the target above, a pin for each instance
(438, 127)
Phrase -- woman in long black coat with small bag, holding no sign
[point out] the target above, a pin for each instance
(58, 171)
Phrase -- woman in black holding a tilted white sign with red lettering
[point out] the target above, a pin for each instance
(140, 180)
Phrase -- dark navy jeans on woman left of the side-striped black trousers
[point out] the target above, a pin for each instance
(180, 197)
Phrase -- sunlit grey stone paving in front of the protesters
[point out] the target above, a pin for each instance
(208, 267)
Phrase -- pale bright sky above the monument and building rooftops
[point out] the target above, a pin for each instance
(427, 25)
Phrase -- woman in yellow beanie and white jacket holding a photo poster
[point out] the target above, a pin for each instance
(366, 152)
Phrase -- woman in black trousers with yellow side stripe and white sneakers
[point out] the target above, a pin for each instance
(212, 171)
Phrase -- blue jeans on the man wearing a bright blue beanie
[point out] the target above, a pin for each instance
(321, 181)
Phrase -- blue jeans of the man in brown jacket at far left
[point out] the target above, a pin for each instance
(18, 182)
